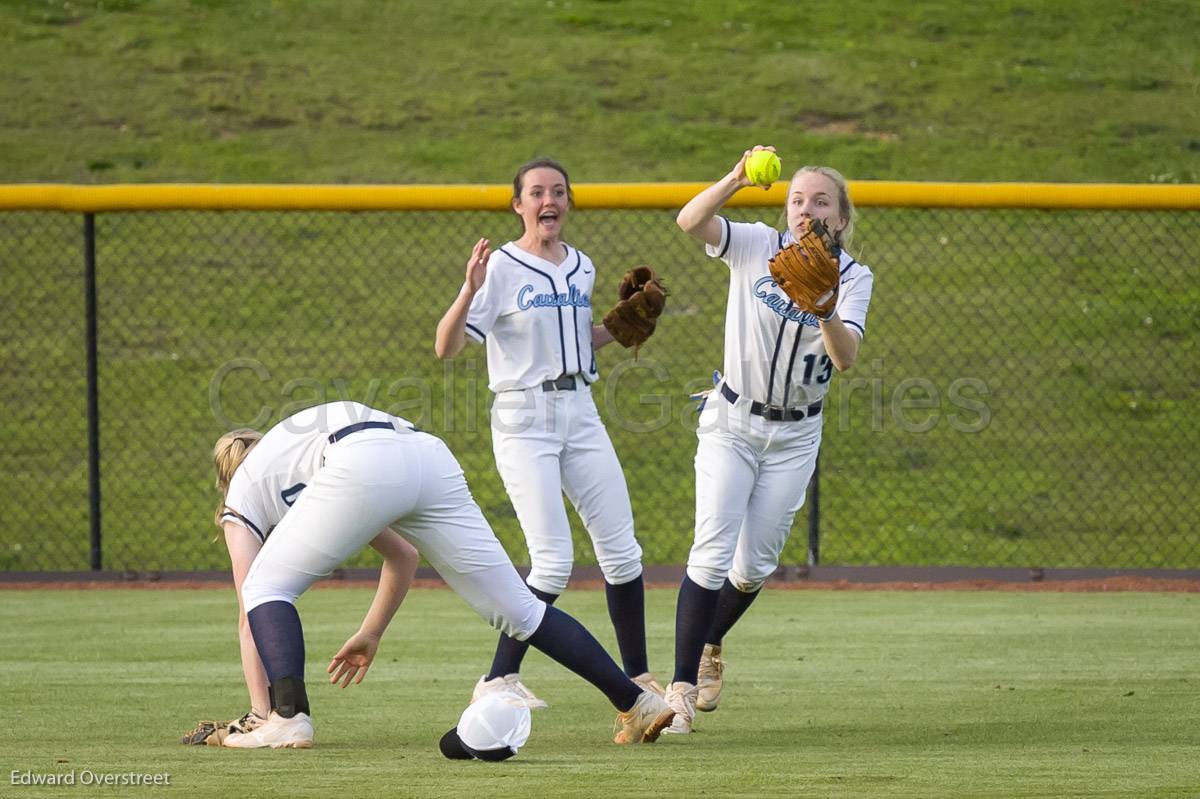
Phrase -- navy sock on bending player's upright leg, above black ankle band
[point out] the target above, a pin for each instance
(279, 639)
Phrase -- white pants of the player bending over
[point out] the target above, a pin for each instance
(412, 483)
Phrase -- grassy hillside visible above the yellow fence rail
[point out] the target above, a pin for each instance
(463, 91)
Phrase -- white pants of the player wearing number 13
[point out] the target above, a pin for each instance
(751, 480)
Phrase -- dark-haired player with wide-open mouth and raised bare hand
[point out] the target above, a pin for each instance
(531, 304)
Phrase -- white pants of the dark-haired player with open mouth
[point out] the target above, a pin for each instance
(550, 443)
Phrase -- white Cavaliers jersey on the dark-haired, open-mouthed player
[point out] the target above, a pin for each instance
(536, 319)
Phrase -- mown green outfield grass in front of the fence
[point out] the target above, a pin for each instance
(830, 694)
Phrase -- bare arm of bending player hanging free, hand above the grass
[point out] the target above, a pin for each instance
(400, 558)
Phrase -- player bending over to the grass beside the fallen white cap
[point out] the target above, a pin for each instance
(329, 480)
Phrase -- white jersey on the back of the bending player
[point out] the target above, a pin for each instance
(281, 466)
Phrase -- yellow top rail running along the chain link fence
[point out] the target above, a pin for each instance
(868, 194)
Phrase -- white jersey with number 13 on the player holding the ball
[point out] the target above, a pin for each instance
(775, 352)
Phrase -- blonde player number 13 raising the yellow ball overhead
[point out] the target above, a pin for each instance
(760, 429)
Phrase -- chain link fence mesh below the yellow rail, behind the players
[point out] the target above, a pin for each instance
(1027, 395)
